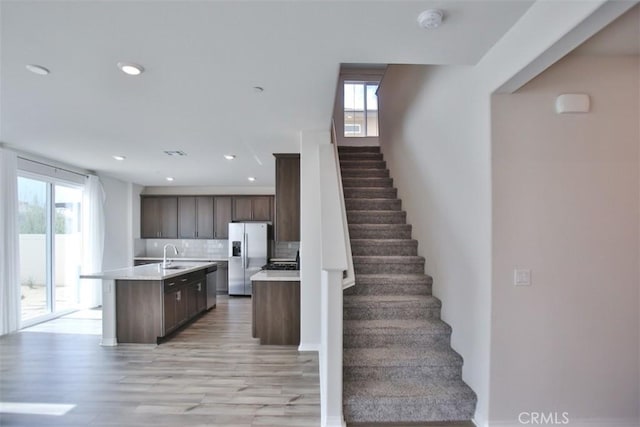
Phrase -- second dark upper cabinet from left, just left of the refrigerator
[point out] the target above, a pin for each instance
(195, 217)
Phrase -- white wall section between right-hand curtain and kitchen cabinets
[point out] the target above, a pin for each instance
(120, 211)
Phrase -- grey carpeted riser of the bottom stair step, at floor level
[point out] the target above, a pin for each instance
(399, 410)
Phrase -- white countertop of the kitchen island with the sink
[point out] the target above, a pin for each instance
(149, 271)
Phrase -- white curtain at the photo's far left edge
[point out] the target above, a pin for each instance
(9, 246)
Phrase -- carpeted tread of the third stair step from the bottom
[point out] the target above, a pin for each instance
(424, 326)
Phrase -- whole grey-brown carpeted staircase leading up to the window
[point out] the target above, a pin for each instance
(398, 363)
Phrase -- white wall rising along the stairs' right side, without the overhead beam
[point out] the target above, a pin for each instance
(433, 123)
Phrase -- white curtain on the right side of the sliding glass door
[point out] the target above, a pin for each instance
(93, 198)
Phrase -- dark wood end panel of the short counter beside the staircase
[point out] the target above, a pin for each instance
(276, 312)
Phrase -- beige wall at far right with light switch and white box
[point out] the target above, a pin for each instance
(566, 205)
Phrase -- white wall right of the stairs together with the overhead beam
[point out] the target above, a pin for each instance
(436, 137)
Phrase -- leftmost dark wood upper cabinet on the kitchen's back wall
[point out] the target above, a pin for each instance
(159, 217)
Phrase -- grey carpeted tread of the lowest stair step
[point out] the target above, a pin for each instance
(390, 390)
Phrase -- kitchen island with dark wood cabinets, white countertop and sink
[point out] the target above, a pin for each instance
(146, 303)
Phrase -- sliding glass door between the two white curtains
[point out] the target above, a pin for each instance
(50, 246)
